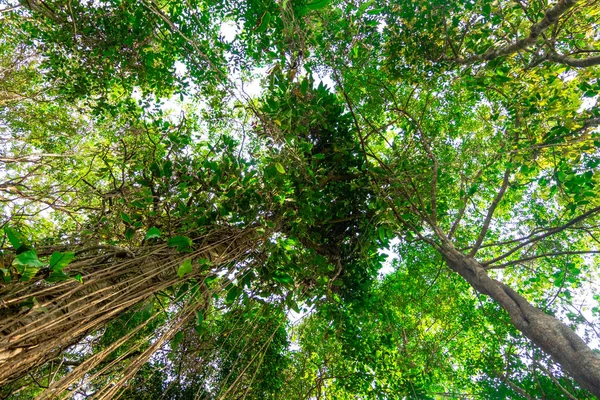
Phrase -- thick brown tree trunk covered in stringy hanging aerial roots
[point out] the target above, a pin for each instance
(66, 312)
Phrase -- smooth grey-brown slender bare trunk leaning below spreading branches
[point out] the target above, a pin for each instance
(548, 333)
